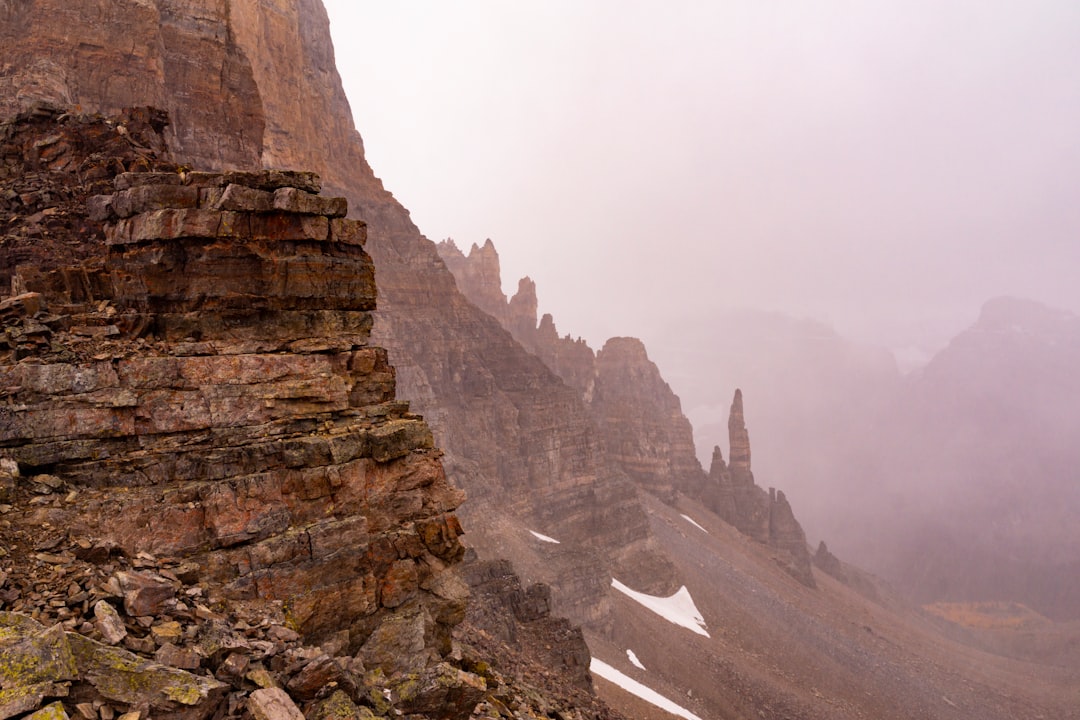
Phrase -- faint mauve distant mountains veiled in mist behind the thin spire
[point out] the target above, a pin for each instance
(955, 482)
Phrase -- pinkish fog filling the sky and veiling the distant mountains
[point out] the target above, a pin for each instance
(777, 197)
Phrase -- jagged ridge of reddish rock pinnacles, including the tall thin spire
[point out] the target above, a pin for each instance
(642, 427)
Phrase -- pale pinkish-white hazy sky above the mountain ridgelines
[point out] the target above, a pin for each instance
(885, 167)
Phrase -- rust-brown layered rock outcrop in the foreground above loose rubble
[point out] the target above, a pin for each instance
(206, 388)
